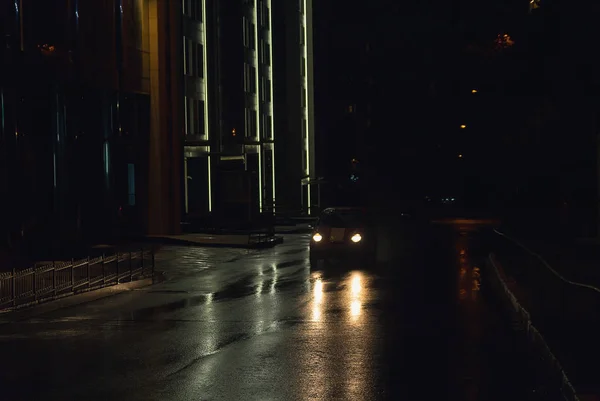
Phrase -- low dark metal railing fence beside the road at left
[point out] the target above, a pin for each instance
(54, 280)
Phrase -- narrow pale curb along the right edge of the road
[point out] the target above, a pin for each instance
(521, 318)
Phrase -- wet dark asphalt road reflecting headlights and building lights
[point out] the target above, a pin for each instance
(262, 325)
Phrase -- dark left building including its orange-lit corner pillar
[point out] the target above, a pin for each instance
(89, 134)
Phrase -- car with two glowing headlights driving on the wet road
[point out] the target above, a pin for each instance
(346, 232)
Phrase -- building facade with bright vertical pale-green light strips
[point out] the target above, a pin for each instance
(248, 131)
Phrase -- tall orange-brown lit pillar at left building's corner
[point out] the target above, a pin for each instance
(165, 142)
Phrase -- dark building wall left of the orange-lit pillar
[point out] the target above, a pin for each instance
(67, 176)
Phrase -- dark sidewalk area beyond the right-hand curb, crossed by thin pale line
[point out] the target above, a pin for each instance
(567, 315)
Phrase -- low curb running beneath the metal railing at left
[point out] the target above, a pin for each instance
(69, 301)
